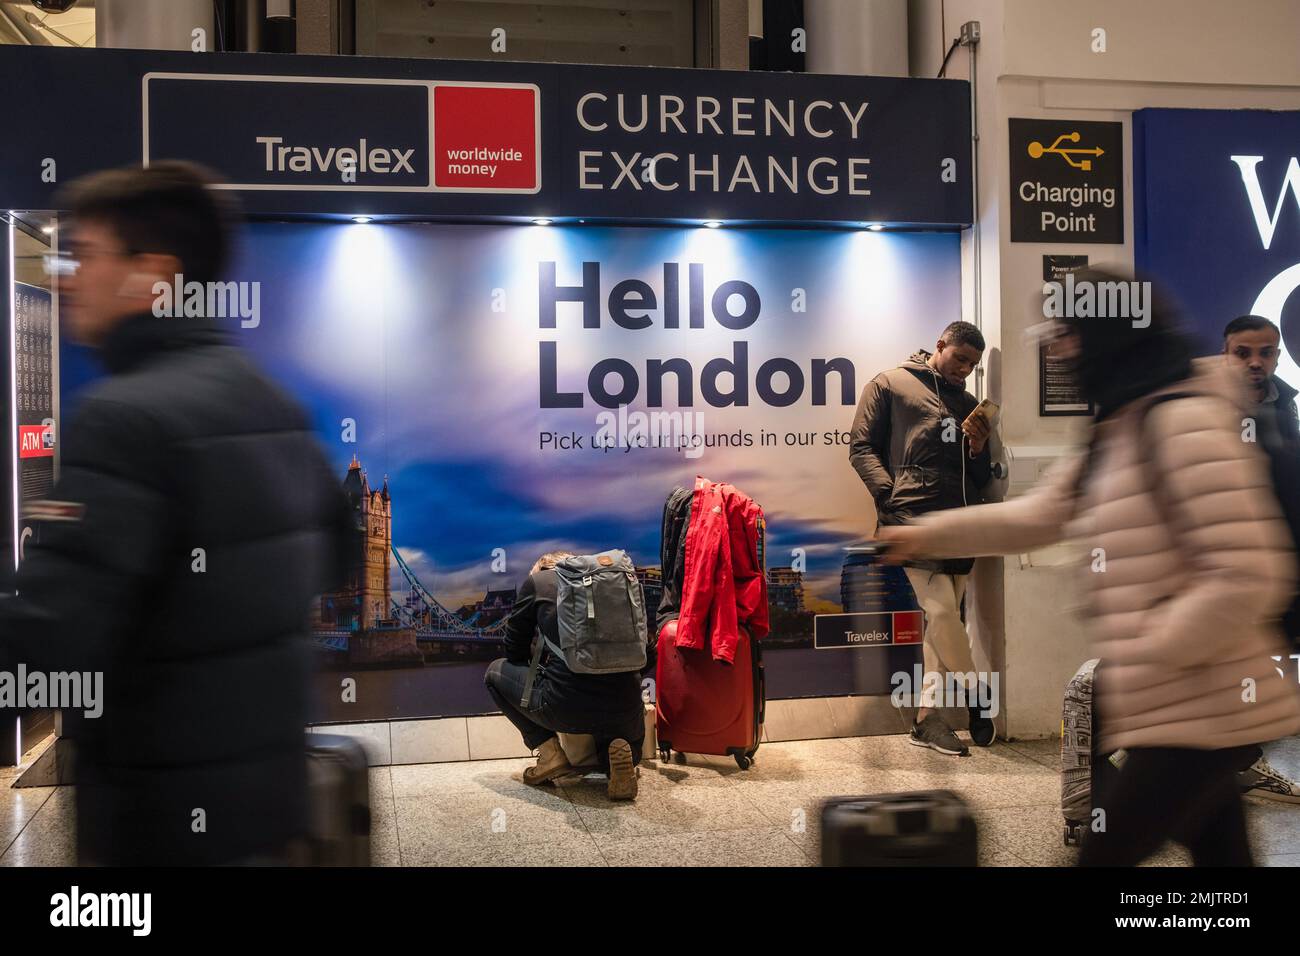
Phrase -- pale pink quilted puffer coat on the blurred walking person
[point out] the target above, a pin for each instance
(1198, 566)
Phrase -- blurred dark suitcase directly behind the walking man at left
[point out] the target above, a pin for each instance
(339, 793)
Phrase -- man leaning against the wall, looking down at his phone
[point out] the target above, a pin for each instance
(918, 449)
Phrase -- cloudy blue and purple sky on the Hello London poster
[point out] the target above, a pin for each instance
(430, 338)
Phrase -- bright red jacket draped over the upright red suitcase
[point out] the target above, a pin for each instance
(725, 586)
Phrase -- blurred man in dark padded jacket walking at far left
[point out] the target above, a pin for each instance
(193, 522)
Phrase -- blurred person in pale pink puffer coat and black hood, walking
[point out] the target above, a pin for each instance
(1199, 565)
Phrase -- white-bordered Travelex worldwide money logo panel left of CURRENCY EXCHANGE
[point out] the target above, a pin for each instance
(357, 136)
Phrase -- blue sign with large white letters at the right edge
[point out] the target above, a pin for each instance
(1217, 218)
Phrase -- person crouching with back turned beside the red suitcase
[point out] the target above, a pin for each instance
(560, 700)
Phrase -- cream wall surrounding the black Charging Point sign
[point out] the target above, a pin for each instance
(1035, 60)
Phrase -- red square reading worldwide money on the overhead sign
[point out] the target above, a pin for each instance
(487, 139)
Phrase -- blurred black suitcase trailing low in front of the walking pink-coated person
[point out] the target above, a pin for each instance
(930, 828)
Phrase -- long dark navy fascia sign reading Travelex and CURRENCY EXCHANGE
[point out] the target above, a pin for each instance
(487, 140)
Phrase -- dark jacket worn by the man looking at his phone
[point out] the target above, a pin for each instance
(899, 451)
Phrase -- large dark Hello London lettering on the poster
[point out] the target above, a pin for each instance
(634, 305)
